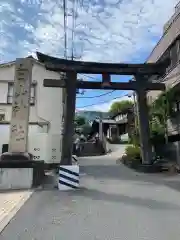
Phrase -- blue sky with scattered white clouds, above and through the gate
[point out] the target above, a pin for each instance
(105, 31)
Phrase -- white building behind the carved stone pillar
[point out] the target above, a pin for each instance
(46, 111)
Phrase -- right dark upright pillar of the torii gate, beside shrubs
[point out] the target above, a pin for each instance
(144, 131)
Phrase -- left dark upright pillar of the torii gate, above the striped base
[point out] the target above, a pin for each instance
(67, 141)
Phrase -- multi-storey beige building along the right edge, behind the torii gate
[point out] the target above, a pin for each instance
(168, 47)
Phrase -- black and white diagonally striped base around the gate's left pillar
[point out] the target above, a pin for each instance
(68, 177)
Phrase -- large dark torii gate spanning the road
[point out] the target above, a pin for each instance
(141, 72)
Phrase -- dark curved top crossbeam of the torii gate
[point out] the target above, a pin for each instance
(62, 65)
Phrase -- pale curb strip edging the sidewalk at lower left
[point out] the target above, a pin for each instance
(5, 221)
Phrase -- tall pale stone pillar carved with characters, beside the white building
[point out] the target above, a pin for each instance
(18, 142)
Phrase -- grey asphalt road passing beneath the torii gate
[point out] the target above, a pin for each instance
(114, 203)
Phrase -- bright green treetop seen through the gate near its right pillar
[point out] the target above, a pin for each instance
(121, 106)
